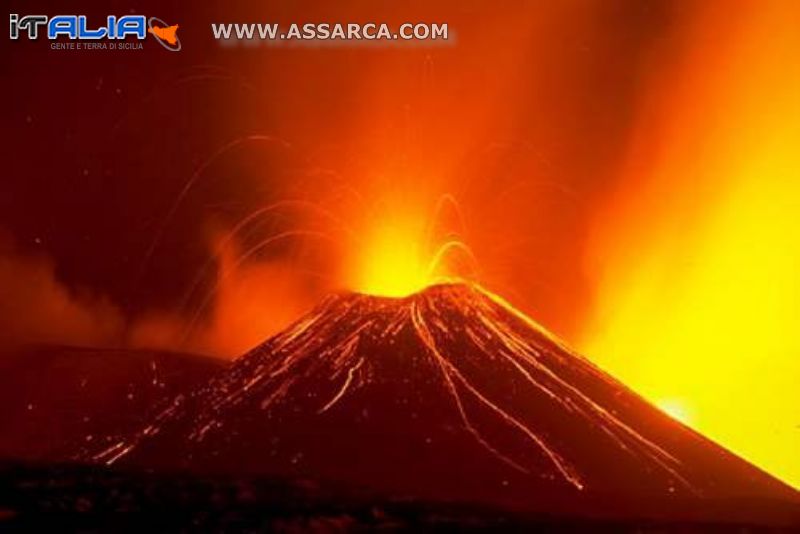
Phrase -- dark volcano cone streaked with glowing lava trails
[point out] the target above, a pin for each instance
(447, 394)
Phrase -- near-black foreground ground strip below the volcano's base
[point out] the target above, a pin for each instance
(93, 499)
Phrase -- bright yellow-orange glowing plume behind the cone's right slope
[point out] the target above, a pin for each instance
(698, 267)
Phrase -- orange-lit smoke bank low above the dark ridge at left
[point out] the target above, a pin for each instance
(249, 302)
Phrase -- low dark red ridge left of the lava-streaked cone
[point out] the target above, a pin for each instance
(55, 398)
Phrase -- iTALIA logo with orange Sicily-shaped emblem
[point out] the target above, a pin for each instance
(76, 27)
